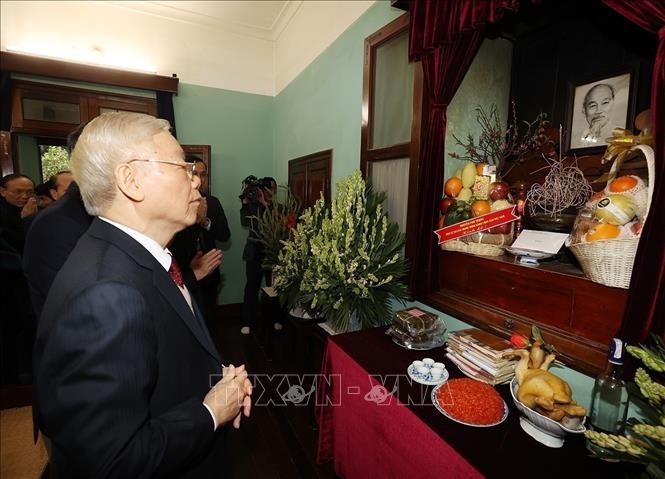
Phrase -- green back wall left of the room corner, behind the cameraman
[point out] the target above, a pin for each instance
(239, 128)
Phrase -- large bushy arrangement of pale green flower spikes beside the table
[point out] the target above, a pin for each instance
(344, 259)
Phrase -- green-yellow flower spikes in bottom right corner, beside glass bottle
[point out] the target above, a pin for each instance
(643, 443)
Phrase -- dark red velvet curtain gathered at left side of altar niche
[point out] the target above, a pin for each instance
(446, 36)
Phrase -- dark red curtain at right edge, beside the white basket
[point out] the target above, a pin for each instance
(645, 309)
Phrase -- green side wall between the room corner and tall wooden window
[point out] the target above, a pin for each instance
(321, 108)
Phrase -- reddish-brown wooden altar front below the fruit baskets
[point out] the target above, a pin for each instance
(579, 316)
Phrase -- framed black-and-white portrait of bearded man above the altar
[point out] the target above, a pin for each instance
(610, 103)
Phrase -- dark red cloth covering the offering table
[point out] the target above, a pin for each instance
(375, 423)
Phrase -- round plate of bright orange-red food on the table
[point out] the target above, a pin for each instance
(470, 402)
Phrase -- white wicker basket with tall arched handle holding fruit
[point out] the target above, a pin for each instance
(610, 262)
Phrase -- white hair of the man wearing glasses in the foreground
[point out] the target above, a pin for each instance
(107, 141)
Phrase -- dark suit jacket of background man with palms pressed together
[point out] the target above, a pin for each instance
(194, 238)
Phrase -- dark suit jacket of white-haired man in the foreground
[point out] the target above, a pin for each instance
(122, 366)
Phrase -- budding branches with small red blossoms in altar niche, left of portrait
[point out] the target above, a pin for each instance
(503, 148)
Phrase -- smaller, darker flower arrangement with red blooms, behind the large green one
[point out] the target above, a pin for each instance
(275, 224)
